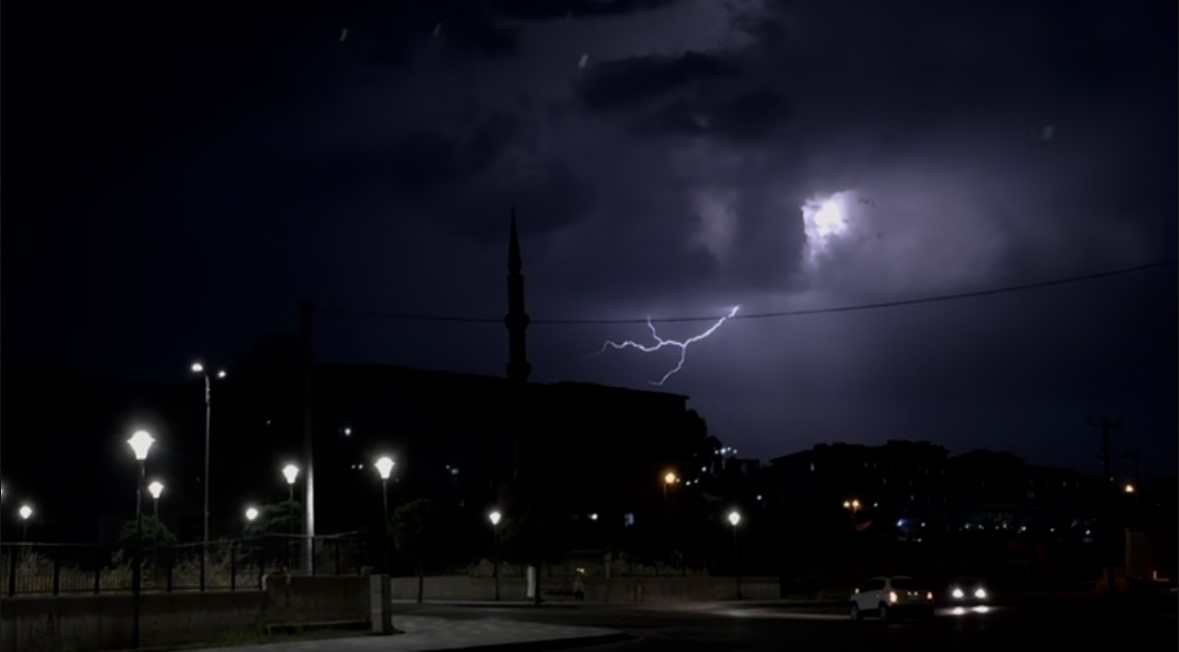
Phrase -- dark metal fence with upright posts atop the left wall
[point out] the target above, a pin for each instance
(229, 565)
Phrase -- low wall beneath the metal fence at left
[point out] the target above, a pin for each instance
(81, 623)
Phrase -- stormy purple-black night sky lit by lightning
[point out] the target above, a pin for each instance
(177, 177)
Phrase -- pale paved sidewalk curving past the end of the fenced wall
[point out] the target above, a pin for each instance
(430, 634)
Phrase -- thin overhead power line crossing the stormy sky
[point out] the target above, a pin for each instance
(800, 313)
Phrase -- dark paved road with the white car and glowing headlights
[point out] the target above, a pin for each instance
(724, 627)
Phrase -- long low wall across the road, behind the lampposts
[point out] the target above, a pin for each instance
(612, 591)
